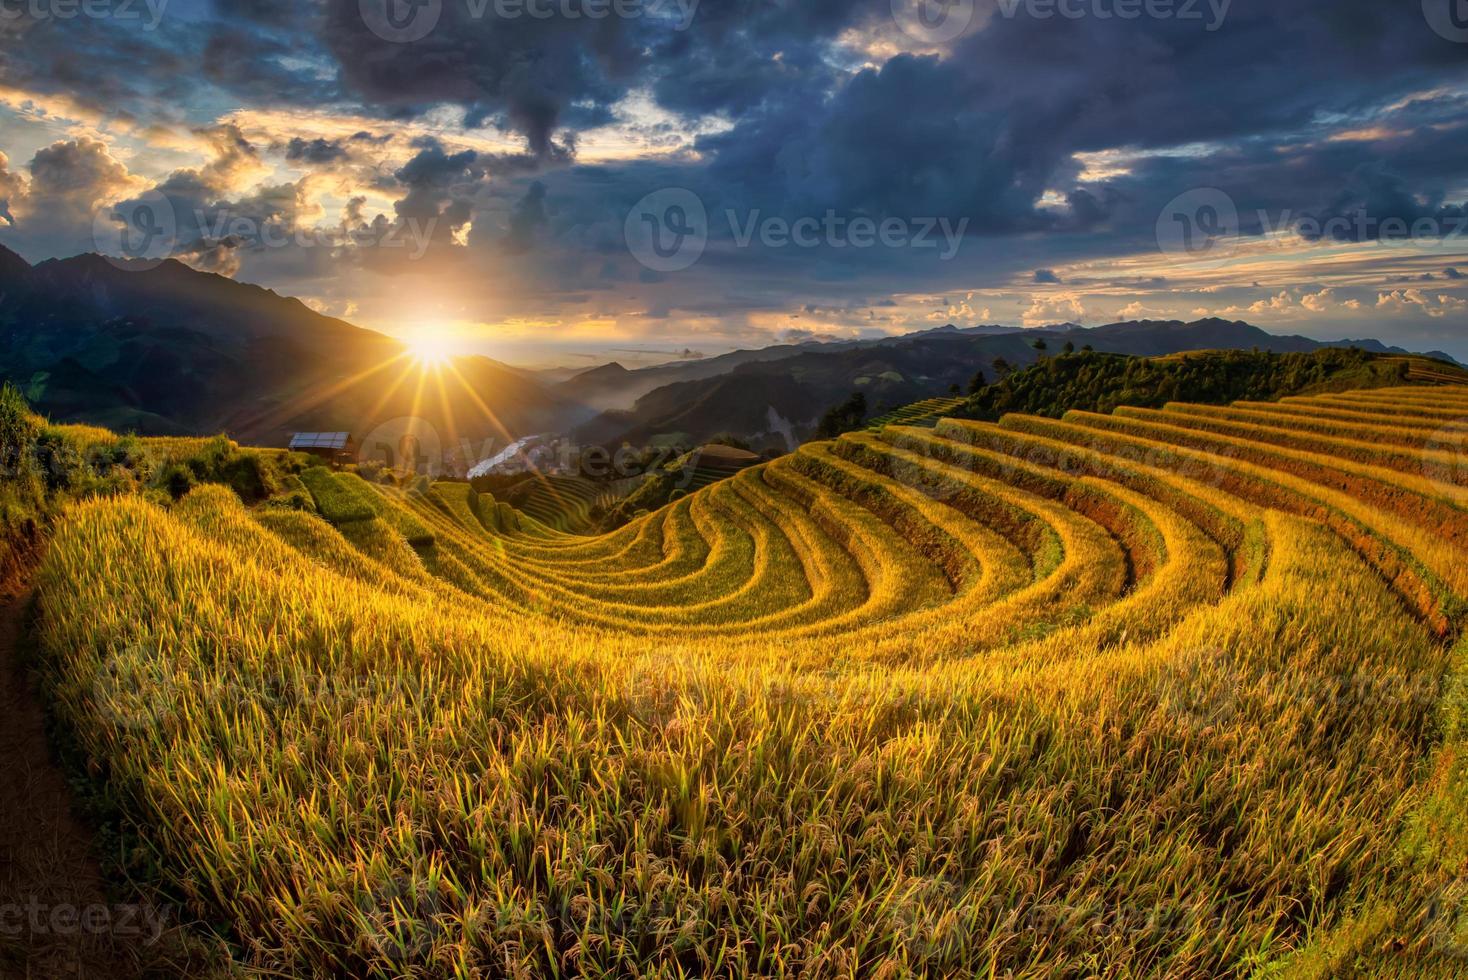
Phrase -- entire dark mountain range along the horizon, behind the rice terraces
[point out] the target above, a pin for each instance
(177, 351)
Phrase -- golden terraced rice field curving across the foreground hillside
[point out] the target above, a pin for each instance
(1163, 693)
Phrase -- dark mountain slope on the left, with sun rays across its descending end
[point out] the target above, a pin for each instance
(177, 351)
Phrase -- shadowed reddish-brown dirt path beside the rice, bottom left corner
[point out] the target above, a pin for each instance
(57, 918)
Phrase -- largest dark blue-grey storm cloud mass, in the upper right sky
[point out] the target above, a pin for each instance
(984, 133)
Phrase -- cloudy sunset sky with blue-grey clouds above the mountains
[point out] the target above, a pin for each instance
(578, 181)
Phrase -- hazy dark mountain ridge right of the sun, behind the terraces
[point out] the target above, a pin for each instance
(771, 403)
